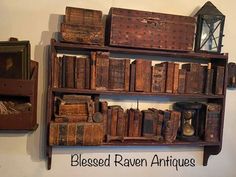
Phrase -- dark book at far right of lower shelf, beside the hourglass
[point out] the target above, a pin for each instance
(212, 123)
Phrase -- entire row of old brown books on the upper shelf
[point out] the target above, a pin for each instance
(101, 72)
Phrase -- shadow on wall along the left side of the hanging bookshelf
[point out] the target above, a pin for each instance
(36, 142)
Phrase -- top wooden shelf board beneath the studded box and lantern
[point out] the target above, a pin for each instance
(60, 46)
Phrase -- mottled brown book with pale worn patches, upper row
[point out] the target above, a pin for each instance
(159, 78)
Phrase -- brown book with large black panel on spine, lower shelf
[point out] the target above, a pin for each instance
(148, 123)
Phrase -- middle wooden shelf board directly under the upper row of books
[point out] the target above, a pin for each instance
(111, 92)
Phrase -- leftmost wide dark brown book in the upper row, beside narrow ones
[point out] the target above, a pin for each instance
(68, 63)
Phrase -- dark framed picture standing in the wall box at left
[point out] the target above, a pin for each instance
(14, 59)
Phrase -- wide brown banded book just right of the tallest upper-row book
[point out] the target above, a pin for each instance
(118, 74)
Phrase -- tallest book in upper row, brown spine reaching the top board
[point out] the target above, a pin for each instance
(102, 70)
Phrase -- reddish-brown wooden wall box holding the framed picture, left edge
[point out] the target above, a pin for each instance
(26, 89)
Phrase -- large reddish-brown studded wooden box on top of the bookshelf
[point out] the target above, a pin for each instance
(140, 29)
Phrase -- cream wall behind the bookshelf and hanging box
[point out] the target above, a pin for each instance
(23, 154)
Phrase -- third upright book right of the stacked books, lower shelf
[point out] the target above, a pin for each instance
(120, 128)
